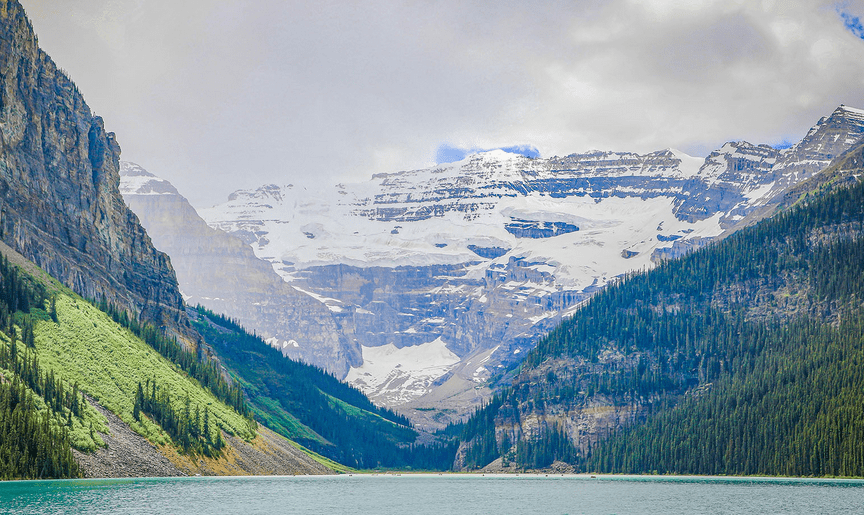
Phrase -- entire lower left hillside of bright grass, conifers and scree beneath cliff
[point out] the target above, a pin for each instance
(72, 401)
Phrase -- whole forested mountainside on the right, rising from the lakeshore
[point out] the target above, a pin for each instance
(740, 358)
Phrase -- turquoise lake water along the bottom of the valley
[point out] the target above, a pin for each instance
(433, 494)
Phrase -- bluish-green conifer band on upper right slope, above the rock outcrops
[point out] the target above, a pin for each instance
(635, 313)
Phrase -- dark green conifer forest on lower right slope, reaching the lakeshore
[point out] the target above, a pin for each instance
(796, 411)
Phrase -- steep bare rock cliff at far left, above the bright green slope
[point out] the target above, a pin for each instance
(59, 198)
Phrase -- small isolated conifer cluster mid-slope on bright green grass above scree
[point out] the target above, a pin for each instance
(186, 430)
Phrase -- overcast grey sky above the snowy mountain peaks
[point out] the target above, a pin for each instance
(217, 95)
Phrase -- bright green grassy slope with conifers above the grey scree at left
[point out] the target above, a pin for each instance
(55, 347)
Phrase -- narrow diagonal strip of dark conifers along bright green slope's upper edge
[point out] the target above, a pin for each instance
(206, 371)
